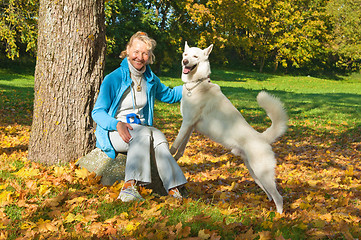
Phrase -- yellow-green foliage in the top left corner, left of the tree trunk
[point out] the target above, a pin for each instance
(18, 26)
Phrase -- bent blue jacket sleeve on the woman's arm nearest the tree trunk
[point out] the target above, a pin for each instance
(100, 113)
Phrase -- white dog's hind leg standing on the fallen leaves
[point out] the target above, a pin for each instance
(262, 162)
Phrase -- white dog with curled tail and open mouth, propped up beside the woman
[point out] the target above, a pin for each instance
(206, 109)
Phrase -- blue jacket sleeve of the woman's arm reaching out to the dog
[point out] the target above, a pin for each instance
(167, 94)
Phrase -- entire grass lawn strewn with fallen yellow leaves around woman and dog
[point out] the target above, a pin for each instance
(318, 172)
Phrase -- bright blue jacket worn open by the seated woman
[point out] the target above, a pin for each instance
(110, 94)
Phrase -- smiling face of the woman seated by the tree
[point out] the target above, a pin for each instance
(138, 54)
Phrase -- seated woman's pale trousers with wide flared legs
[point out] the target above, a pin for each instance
(145, 141)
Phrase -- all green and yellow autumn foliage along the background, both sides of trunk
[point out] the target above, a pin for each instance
(284, 34)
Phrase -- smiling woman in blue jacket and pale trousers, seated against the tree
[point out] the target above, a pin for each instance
(124, 116)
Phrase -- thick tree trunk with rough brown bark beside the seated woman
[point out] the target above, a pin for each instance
(69, 69)
